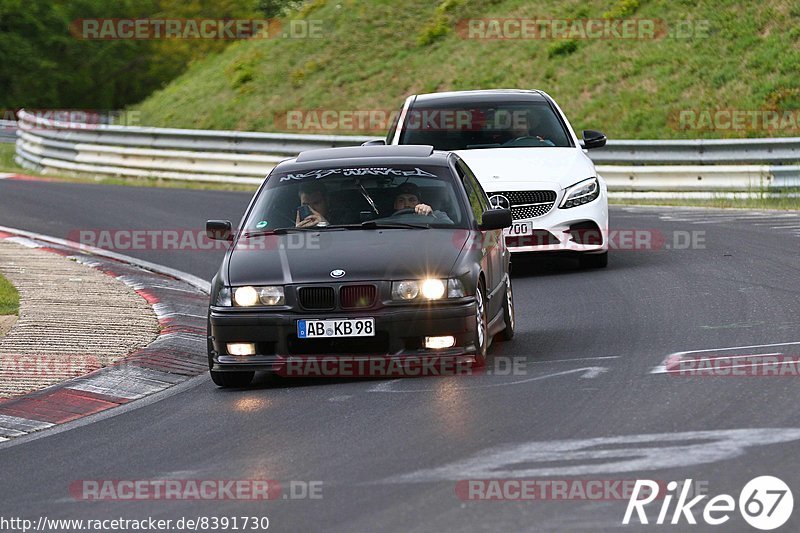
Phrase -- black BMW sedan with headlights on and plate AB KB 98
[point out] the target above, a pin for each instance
(388, 253)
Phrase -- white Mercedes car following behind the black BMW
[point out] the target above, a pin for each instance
(526, 156)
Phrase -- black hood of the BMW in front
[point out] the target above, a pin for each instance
(309, 257)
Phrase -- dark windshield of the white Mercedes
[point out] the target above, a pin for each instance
(490, 125)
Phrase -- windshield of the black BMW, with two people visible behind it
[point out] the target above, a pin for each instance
(358, 198)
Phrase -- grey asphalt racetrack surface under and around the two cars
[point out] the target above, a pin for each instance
(591, 397)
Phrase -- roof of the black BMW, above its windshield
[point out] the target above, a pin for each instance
(379, 155)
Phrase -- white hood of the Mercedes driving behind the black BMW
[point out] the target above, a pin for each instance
(509, 169)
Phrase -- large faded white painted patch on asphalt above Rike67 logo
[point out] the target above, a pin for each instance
(602, 455)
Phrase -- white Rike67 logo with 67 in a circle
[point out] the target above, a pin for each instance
(765, 502)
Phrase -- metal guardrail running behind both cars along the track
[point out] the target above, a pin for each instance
(246, 157)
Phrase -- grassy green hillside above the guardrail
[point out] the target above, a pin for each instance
(372, 53)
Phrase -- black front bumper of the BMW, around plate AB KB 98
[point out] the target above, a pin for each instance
(399, 334)
